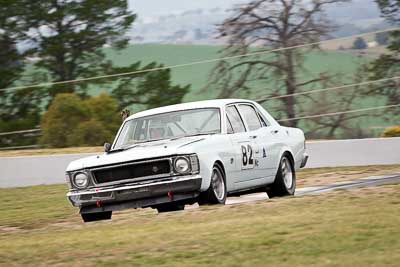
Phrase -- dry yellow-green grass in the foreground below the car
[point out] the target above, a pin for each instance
(346, 228)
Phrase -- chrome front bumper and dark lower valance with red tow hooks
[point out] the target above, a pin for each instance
(136, 195)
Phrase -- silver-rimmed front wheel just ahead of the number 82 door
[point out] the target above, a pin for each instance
(216, 193)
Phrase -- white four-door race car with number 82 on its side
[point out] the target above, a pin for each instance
(200, 152)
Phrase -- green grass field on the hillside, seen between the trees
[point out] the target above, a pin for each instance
(330, 61)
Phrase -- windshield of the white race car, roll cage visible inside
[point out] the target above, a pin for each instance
(170, 125)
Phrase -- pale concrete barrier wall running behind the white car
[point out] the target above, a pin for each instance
(50, 169)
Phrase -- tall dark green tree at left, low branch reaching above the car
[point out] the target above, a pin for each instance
(70, 37)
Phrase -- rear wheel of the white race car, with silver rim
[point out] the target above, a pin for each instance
(281, 188)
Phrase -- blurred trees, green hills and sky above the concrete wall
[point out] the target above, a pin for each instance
(68, 68)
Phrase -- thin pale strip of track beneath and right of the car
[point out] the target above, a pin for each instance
(363, 182)
